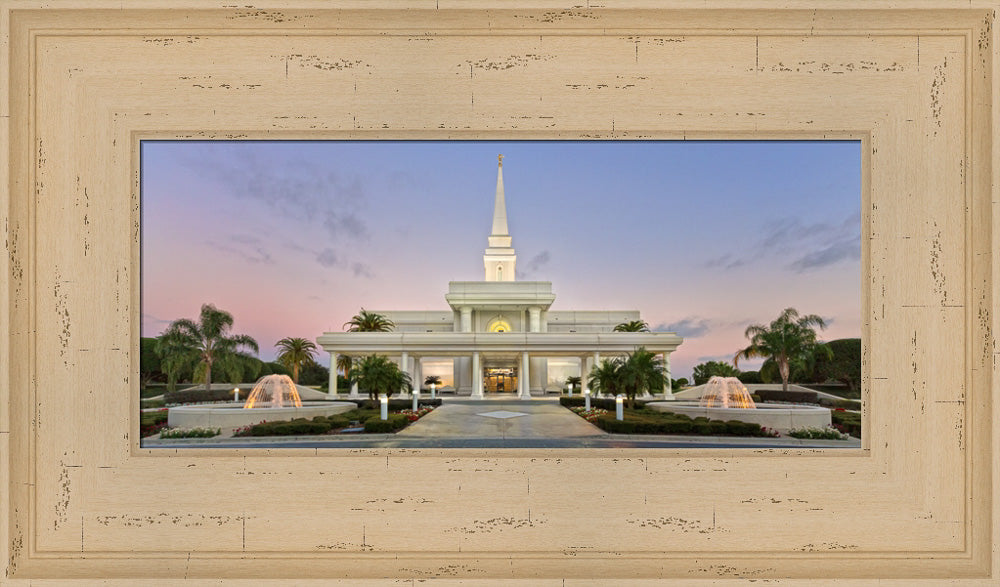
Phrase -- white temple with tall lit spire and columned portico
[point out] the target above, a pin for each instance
(499, 335)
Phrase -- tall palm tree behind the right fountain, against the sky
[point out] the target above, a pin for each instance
(789, 339)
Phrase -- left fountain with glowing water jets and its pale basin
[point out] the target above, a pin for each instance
(273, 398)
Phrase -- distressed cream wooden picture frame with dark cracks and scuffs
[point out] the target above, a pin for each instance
(915, 81)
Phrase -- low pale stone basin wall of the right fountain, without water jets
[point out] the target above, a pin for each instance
(778, 416)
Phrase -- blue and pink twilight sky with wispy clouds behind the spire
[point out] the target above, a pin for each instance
(704, 238)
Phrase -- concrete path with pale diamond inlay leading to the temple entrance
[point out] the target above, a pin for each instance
(501, 418)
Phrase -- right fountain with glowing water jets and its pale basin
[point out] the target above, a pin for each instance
(726, 398)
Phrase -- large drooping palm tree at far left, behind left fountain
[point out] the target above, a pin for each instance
(207, 341)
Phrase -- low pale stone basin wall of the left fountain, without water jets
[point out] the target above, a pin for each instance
(229, 417)
